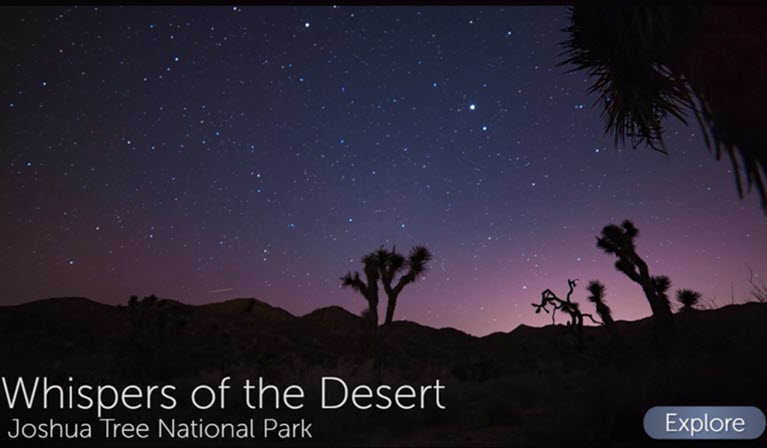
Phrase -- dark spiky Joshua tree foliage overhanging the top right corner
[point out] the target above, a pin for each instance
(649, 62)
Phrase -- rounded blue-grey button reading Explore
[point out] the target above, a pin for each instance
(704, 422)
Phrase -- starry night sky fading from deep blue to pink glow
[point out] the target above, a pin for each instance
(204, 154)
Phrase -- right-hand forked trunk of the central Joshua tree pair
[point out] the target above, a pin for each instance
(409, 269)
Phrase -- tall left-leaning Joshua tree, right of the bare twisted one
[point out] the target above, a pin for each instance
(619, 241)
